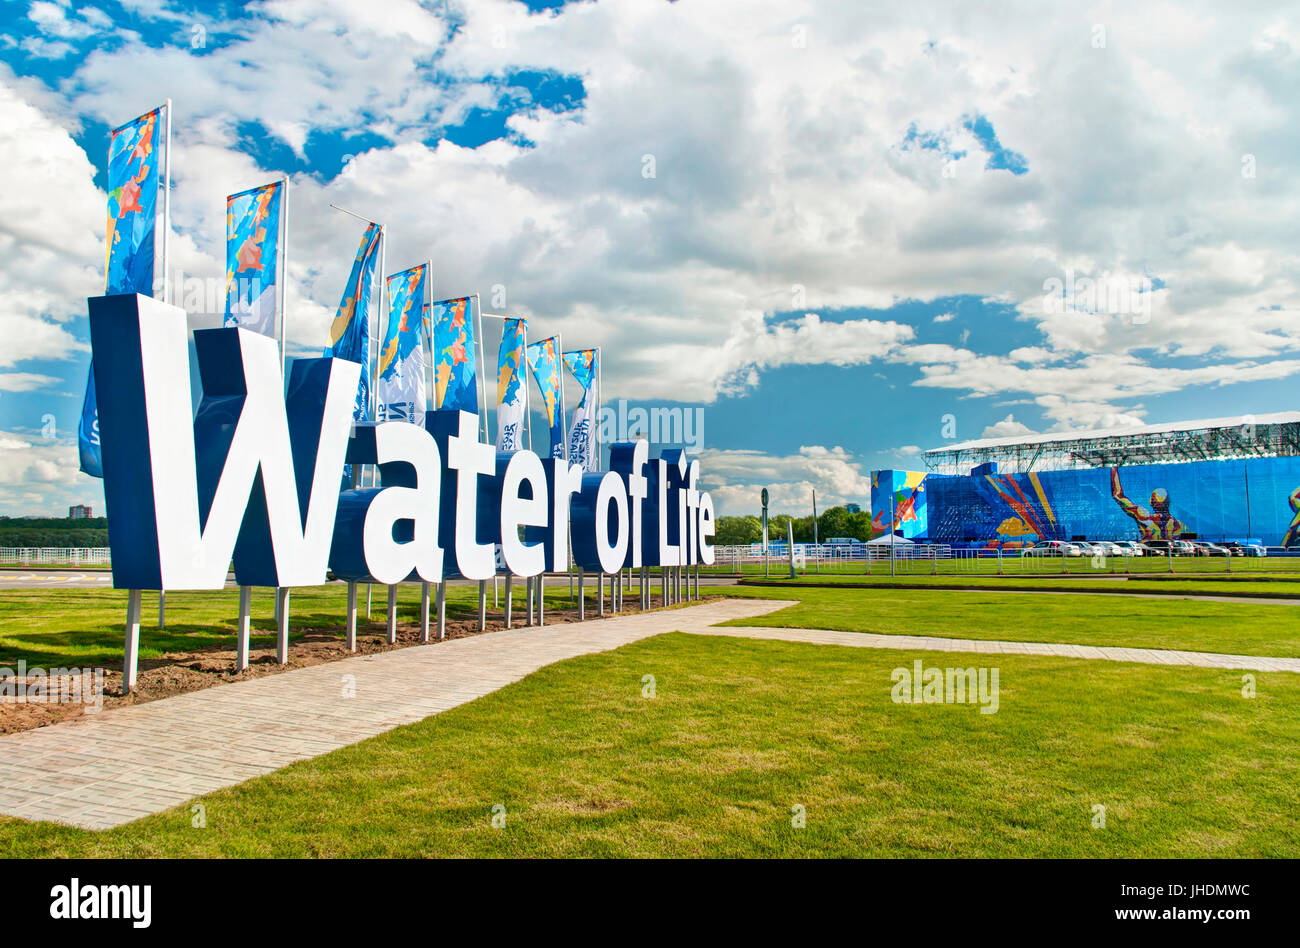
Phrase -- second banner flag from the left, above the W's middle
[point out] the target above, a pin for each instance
(254, 224)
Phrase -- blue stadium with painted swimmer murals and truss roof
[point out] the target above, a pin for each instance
(1212, 479)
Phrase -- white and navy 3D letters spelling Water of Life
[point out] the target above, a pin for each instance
(255, 477)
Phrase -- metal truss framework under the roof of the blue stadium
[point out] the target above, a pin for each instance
(1178, 443)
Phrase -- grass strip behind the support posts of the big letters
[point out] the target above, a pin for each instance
(86, 627)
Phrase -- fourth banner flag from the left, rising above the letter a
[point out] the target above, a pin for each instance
(402, 382)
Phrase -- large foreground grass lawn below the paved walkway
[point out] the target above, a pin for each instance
(742, 731)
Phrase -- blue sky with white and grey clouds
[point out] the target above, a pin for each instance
(842, 231)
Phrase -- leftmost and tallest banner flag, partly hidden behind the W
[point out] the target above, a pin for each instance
(137, 215)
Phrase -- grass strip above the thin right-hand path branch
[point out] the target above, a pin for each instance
(1249, 627)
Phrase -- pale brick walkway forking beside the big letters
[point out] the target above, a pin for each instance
(105, 770)
